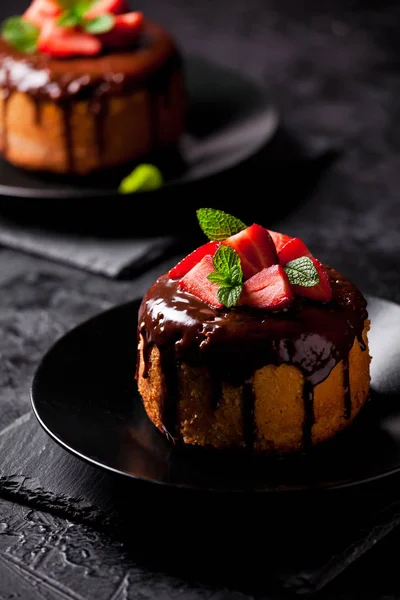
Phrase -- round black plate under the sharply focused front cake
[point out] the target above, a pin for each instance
(85, 397)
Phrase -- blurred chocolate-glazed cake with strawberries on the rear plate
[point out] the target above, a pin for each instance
(99, 94)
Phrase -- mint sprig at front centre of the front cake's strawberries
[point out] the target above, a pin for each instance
(228, 275)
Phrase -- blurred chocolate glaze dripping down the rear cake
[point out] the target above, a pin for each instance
(64, 81)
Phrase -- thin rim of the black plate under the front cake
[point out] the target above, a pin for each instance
(284, 490)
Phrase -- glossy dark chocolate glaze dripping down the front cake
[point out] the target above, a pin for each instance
(311, 336)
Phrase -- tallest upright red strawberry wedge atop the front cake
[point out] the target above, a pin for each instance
(255, 248)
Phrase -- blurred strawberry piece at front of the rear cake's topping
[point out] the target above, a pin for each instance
(63, 42)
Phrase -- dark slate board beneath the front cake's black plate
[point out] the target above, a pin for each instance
(247, 543)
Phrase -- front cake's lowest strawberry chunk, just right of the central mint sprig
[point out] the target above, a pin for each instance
(269, 289)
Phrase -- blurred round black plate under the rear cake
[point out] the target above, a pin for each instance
(230, 119)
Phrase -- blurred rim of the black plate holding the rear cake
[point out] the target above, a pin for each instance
(274, 117)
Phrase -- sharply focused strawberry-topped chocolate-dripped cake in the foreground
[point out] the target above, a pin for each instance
(250, 342)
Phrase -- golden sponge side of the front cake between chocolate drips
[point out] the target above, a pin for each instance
(279, 412)
